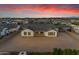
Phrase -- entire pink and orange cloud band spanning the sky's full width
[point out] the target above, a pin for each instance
(50, 9)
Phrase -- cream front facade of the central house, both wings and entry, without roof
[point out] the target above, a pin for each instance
(31, 33)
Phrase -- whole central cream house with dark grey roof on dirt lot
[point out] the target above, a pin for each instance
(39, 30)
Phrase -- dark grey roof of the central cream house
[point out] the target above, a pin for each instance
(39, 26)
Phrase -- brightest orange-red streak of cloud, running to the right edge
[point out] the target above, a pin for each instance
(48, 9)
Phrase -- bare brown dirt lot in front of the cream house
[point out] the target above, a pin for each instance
(18, 43)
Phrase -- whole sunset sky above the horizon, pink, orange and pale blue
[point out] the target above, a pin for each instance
(39, 10)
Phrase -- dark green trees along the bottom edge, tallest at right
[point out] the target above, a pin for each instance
(57, 51)
